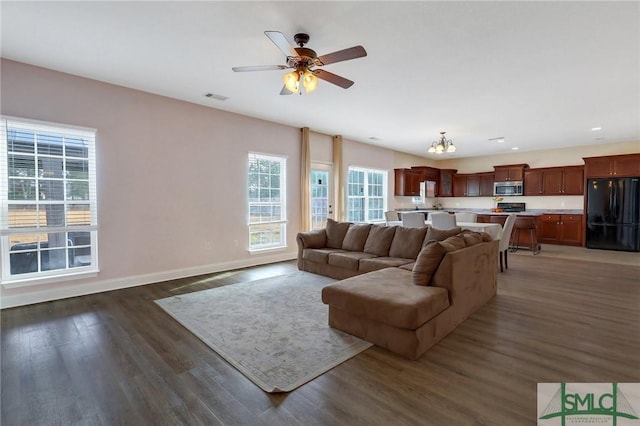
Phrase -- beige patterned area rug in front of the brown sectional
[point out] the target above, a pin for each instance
(273, 330)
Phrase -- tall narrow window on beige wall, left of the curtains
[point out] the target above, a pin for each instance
(267, 202)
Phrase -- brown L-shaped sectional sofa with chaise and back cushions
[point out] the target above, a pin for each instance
(403, 289)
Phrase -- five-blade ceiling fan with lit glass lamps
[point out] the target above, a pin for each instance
(306, 64)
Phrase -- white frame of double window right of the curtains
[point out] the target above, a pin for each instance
(367, 197)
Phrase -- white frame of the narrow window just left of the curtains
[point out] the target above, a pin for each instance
(281, 222)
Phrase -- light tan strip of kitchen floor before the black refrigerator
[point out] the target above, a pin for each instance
(582, 253)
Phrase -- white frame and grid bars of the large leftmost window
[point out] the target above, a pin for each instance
(65, 183)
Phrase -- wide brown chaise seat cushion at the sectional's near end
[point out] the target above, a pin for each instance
(387, 296)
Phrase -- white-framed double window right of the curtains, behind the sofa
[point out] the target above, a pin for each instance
(366, 195)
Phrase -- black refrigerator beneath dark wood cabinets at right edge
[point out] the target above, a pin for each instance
(613, 214)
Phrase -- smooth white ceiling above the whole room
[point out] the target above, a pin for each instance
(540, 74)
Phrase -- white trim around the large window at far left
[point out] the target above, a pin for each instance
(55, 275)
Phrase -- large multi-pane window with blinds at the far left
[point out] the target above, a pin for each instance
(48, 225)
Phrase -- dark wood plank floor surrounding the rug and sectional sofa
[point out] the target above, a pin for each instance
(116, 358)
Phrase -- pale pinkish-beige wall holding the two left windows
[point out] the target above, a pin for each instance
(171, 178)
